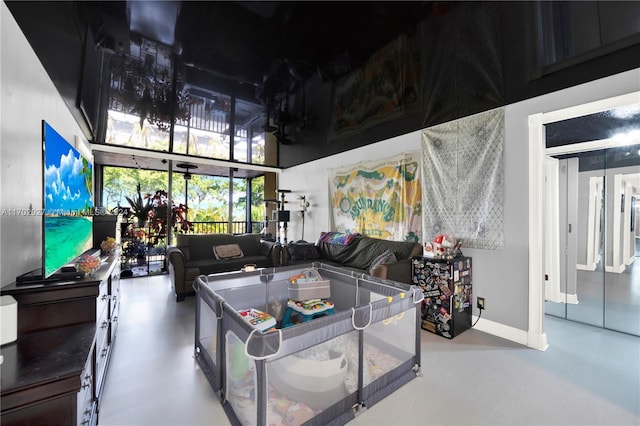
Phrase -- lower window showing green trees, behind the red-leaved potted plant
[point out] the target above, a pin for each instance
(152, 214)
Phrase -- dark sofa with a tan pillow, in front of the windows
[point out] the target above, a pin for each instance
(193, 255)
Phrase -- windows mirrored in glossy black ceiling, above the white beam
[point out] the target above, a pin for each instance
(208, 123)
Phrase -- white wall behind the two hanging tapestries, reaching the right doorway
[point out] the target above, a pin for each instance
(502, 277)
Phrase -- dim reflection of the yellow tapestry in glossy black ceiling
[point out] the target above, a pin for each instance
(384, 88)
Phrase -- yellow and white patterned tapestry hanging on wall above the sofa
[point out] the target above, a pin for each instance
(380, 199)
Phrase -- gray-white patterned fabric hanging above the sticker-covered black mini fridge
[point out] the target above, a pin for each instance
(463, 175)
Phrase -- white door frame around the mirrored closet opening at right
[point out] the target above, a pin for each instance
(536, 337)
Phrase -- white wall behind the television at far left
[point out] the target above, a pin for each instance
(28, 97)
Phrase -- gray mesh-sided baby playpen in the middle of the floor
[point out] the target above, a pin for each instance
(317, 372)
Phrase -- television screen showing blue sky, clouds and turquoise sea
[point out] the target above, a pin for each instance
(68, 202)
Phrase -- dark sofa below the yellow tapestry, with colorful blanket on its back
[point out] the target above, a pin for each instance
(359, 255)
